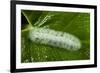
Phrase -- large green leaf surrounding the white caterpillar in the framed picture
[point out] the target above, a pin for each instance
(74, 23)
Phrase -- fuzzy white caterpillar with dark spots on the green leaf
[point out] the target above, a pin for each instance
(54, 38)
